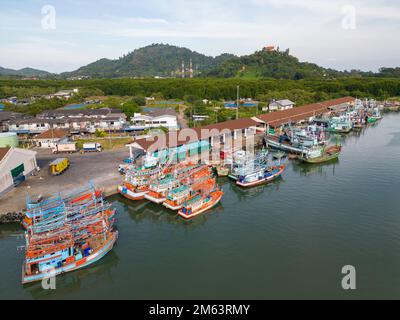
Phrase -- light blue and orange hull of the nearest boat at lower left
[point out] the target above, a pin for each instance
(96, 256)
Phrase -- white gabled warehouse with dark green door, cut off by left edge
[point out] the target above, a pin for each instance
(15, 165)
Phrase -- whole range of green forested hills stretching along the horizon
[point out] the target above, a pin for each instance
(164, 60)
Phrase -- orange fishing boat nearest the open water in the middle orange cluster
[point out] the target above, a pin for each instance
(200, 204)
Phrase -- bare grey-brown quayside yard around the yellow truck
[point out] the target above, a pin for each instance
(102, 167)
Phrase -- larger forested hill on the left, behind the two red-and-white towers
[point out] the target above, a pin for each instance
(155, 60)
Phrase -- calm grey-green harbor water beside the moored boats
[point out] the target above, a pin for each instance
(286, 240)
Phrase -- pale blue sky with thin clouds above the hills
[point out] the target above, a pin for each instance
(63, 35)
